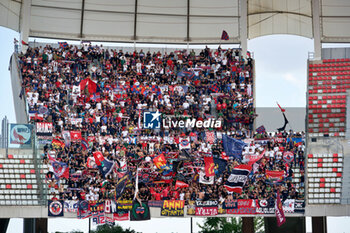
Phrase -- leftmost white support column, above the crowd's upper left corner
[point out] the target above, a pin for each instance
(25, 22)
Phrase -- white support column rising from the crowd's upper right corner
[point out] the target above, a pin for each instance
(243, 30)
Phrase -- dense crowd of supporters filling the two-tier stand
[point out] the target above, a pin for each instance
(103, 93)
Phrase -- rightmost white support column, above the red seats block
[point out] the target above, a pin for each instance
(316, 28)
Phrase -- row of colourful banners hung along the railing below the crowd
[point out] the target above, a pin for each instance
(109, 211)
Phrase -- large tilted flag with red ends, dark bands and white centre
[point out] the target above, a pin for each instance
(237, 178)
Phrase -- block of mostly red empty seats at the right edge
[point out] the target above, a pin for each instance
(328, 83)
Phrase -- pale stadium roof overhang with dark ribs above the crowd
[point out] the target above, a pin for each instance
(181, 21)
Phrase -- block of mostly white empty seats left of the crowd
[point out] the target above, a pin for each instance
(18, 178)
